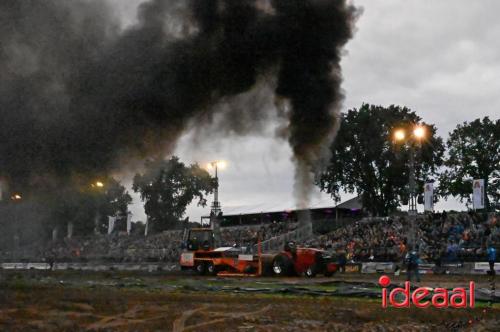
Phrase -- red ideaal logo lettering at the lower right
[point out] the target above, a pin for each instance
(440, 297)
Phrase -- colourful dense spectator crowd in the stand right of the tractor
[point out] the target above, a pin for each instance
(441, 237)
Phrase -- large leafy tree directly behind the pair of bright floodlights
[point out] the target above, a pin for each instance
(365, 159)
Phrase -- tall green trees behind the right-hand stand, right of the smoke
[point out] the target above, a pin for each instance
(366, 160)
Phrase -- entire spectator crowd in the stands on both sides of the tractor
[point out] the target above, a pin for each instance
(442, 237)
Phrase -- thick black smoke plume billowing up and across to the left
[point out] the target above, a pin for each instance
(78, 94)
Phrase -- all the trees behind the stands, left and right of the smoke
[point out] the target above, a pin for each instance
(365, 160)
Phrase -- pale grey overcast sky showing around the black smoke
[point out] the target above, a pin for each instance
(440, 58)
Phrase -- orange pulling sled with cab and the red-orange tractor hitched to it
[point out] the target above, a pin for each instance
(201, 256)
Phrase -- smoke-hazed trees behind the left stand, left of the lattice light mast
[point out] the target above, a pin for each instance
(167, 187)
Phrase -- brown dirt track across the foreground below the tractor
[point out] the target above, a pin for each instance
(130, 302)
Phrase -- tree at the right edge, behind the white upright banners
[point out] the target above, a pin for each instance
(473, 153)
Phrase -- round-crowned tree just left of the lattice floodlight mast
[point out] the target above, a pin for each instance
(167, 187)
